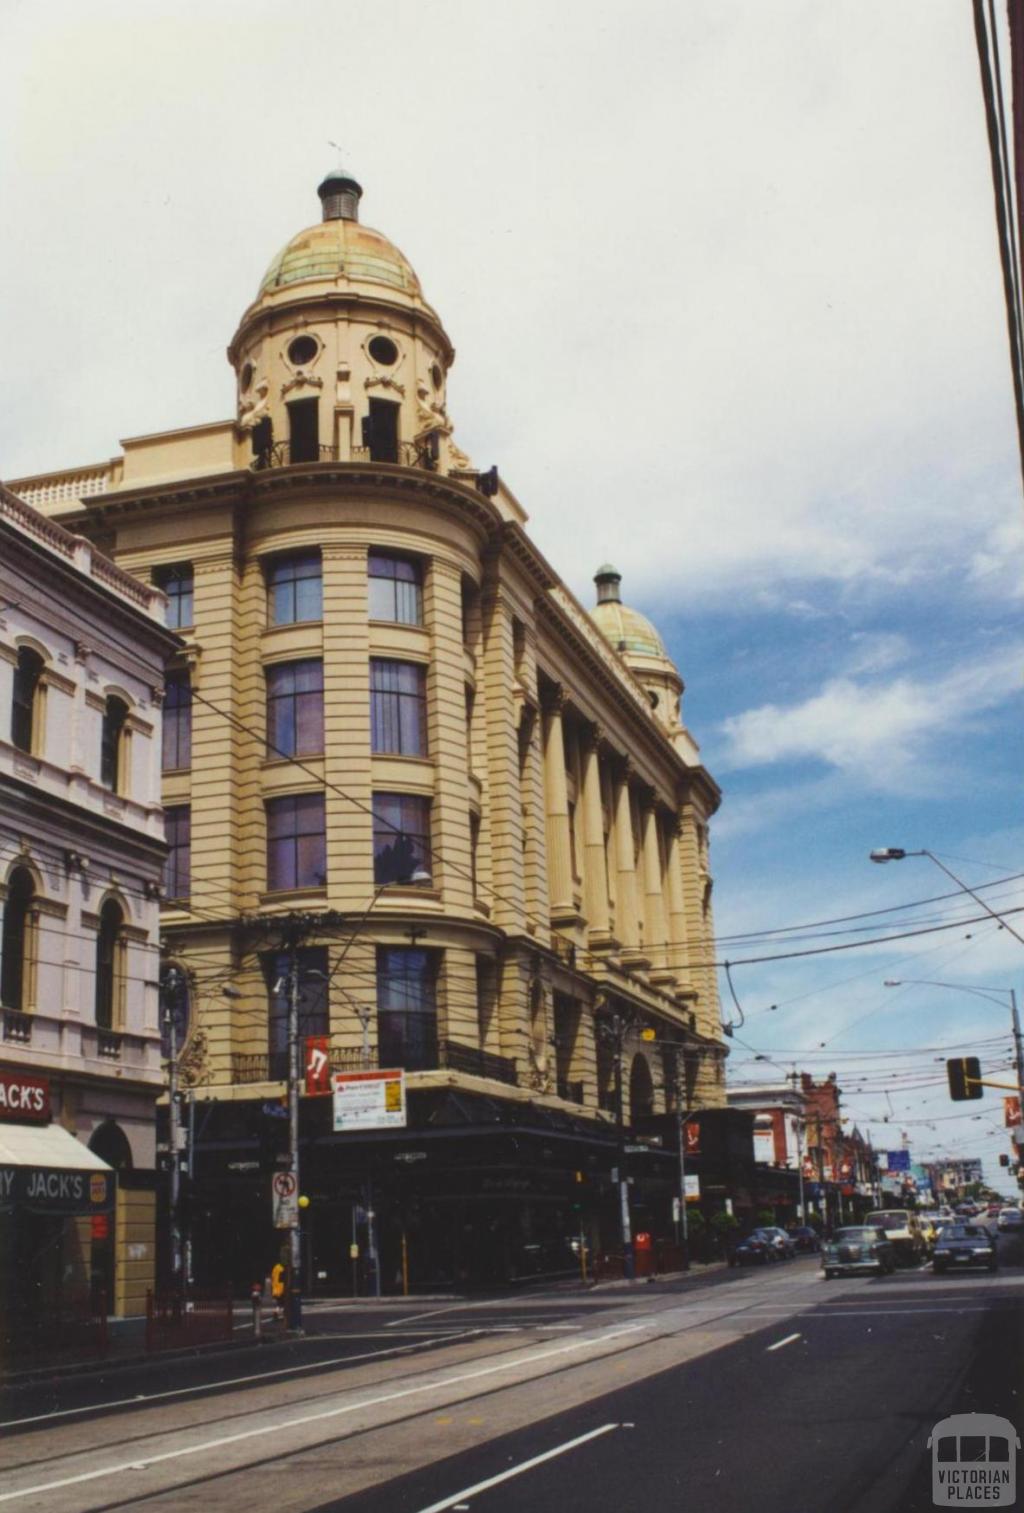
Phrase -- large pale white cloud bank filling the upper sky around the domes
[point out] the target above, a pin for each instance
(690, 258)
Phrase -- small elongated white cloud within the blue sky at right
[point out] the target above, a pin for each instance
(877, 730)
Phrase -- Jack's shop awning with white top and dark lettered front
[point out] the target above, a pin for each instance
(51, 1172)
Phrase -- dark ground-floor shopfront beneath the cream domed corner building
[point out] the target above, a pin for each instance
(476, 1191)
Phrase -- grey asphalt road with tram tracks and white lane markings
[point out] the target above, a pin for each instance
(766, 1390)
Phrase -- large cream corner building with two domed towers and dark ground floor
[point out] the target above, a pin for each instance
(394, 721)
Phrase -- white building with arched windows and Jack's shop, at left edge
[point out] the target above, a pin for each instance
(82, 859)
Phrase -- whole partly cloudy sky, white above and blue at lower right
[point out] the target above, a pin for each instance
(724, 284)
